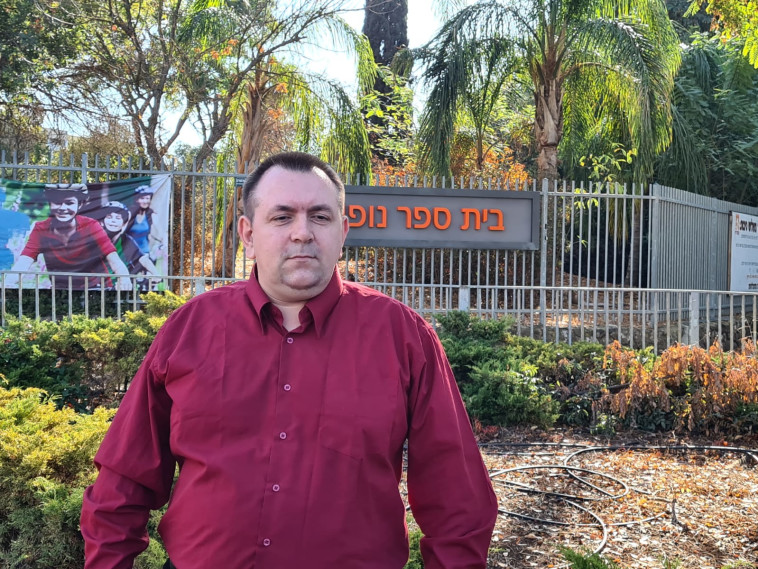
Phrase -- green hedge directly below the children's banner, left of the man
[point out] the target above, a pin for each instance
(83, 362)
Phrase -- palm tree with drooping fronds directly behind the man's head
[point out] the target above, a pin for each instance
(318, 108)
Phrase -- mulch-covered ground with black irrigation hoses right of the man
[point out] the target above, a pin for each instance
(640, 506)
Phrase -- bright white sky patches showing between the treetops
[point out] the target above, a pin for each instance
(422, 23)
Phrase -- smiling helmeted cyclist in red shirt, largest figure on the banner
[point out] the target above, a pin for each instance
(71, 243)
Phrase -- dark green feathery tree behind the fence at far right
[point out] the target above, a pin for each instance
(714, 149)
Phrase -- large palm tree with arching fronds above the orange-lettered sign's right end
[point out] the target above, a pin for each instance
(627, 52)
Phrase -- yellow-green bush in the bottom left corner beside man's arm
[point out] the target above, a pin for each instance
(45, 462)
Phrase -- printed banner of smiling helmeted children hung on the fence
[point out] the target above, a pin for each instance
(111, 228)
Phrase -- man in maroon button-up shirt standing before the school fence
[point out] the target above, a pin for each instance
(286, 400)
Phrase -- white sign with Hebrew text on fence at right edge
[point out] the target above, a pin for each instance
(743, 266)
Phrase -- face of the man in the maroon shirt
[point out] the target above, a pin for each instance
(296, 235)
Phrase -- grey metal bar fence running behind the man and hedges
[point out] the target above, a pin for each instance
(647, 266)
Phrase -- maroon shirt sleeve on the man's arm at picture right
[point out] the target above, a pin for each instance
(449, 489)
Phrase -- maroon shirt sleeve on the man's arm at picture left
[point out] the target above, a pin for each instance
(136, 471)
